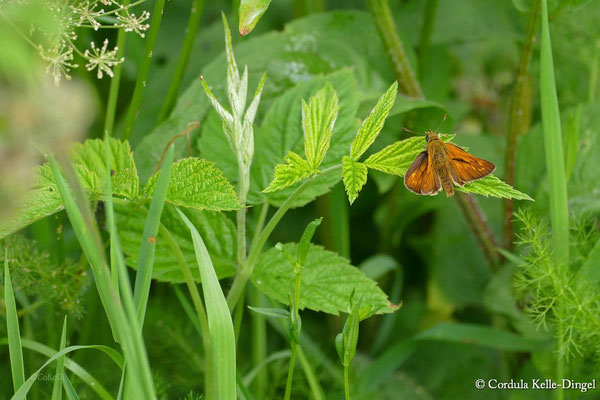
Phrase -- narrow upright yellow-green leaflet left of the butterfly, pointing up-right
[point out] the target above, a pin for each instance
(371, 126)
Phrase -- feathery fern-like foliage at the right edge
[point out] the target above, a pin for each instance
(562, 297)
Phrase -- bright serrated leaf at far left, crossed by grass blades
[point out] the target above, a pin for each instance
(88, 159)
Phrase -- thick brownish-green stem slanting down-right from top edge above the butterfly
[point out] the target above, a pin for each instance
(380, 9)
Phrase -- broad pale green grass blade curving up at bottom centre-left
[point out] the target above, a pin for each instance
(220, 325)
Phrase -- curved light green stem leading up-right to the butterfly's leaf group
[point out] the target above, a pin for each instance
(241, 279)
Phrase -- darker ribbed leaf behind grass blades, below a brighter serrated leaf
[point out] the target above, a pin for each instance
(216, 229)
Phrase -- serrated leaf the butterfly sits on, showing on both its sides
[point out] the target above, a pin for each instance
(396, 158)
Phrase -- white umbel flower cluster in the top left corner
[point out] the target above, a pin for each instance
(59, 47)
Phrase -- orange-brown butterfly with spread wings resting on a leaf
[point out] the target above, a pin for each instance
(443, 164)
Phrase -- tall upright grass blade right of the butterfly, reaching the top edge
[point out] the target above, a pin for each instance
(559, 210)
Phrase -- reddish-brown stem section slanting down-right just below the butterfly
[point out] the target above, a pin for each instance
(477, 221)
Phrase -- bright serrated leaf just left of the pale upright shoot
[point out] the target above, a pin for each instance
(197, 183)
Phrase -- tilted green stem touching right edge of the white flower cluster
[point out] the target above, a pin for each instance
(143, 70)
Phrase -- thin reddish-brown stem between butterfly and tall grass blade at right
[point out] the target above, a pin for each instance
(520, 116)
